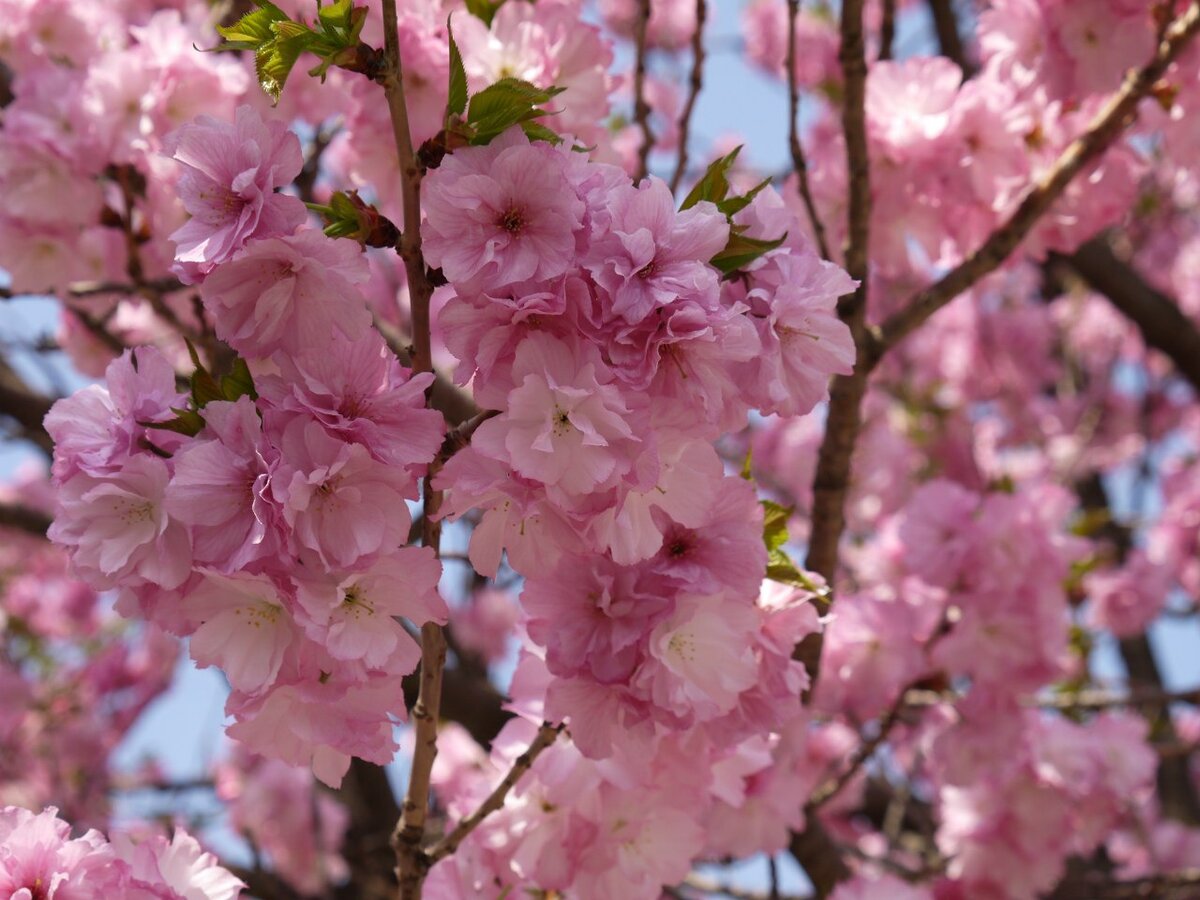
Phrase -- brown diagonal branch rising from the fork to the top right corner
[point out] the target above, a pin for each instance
(1089, 147)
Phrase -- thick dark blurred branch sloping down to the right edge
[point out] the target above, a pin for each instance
(1162, 325)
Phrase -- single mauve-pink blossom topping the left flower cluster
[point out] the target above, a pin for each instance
(231, 173)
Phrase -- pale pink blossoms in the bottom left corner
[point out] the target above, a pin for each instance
(39, 859)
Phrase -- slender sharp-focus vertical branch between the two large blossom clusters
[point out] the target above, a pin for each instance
(412, 863)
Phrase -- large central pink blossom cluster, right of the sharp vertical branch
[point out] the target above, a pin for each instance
(585, 310)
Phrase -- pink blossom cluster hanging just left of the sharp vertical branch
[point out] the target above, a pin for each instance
(275, 537)
